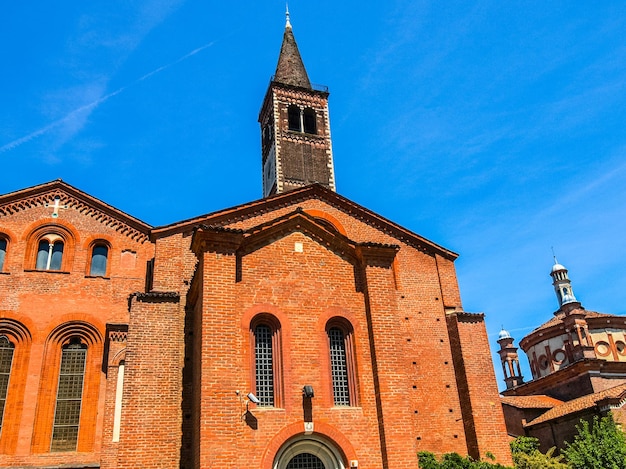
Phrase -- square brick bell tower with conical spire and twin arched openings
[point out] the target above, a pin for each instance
(295, 130)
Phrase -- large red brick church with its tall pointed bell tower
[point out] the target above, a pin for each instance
(300, 330)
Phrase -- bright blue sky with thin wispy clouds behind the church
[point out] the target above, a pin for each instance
(493, 128)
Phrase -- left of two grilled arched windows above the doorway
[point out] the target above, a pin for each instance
(267, 360)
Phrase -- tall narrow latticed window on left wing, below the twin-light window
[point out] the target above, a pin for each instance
(69, 396)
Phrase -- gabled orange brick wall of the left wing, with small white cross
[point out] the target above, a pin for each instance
(49, 307)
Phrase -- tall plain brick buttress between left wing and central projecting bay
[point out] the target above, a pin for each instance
(151, 428)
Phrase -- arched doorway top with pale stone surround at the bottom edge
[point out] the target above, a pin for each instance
(309, 452)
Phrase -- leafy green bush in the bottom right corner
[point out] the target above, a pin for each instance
(599, 445)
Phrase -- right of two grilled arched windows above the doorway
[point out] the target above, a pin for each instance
(342, 367)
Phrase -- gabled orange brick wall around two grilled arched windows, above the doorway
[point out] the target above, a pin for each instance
(302, 290)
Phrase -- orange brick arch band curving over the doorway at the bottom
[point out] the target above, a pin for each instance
(289, 435)
